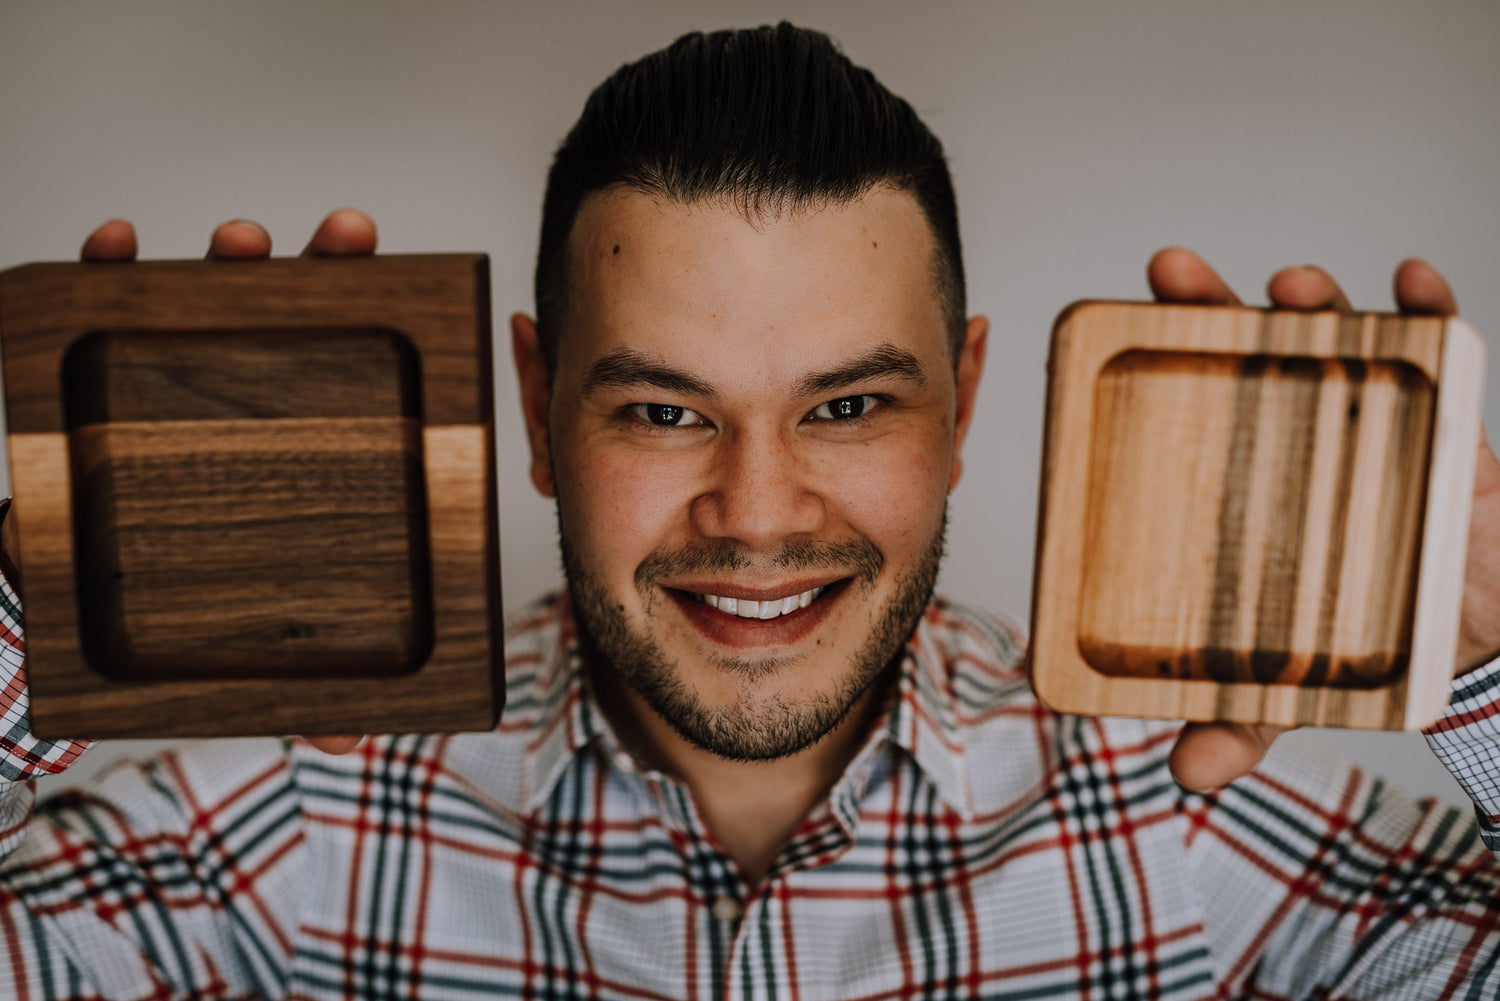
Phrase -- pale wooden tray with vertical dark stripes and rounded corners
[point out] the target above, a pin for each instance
(1255, 516)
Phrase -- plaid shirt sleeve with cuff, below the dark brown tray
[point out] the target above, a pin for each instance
(175, 879)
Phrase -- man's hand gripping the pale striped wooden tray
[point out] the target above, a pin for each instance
(1210, 756)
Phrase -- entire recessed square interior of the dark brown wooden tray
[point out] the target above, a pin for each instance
(286, 464)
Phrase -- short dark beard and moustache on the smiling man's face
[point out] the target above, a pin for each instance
(757, 726)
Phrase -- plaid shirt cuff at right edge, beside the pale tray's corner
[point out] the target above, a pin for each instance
(1468, 741)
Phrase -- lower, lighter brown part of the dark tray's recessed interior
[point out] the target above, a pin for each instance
(308, 541)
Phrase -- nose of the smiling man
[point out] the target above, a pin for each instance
(760, 491)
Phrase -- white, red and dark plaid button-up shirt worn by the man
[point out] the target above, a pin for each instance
(979, 847)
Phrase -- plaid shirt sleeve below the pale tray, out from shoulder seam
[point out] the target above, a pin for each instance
(1321, 880)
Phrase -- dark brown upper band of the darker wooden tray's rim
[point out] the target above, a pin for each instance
(46, 308)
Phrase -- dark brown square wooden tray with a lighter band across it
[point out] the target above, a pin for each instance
(256, 497)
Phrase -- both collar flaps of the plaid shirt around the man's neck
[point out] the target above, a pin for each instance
(920, 720)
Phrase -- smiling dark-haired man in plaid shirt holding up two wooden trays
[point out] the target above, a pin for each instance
(749, 754)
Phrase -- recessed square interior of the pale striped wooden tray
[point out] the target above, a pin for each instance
(1255, 519)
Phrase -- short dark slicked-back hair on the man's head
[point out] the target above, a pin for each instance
(772, 119)
